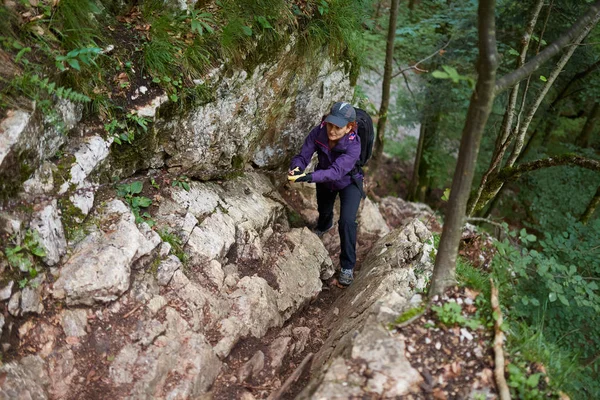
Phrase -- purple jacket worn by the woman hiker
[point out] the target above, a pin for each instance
(334, 164)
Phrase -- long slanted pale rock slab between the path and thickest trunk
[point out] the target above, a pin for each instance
(358, 341)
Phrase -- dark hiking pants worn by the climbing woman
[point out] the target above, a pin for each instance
(350, 197)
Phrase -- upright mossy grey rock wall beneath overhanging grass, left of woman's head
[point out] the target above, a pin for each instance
(256, 117)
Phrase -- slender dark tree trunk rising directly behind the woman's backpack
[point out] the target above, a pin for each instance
(387, 81)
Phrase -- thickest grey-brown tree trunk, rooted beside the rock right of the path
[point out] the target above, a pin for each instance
(480, 107)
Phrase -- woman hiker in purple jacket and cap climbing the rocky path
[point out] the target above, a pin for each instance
(338, 148)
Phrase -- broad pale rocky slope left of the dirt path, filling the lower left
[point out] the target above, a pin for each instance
(164, 327)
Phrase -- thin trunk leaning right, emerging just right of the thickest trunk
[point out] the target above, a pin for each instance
(503, 140)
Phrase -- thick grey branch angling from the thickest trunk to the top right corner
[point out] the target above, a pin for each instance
(553, 49)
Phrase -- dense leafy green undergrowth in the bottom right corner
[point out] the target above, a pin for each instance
(551, 284)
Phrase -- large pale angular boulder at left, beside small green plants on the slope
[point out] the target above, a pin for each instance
(100, 266)
